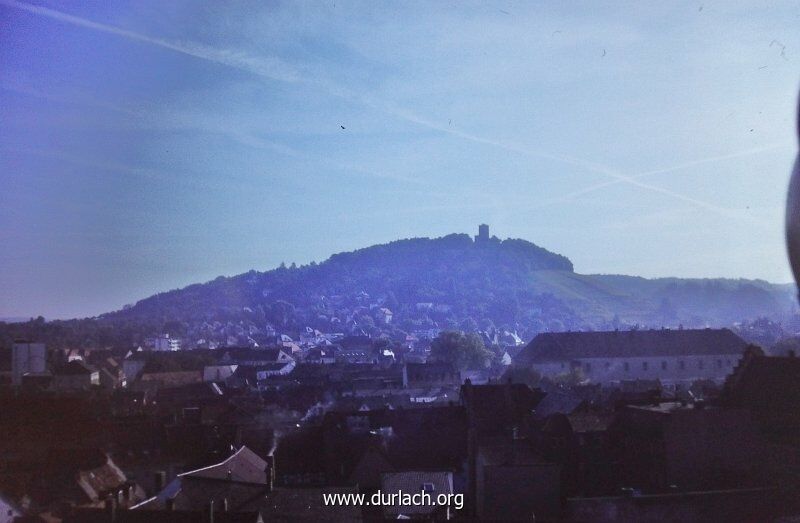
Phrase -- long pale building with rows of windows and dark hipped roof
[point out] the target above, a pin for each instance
(669, 355)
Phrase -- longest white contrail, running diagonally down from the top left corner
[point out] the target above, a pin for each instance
(275, 69)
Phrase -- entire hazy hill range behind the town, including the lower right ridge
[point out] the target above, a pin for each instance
(452, 282)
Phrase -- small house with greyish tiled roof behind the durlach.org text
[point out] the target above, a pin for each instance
(437, 485)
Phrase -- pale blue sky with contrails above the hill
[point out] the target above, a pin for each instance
(147, 145)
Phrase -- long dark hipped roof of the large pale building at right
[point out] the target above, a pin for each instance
(560, 346)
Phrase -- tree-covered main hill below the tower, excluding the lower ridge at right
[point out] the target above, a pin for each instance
(446, 270)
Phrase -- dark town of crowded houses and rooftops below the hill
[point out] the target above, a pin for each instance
(637, 424)
